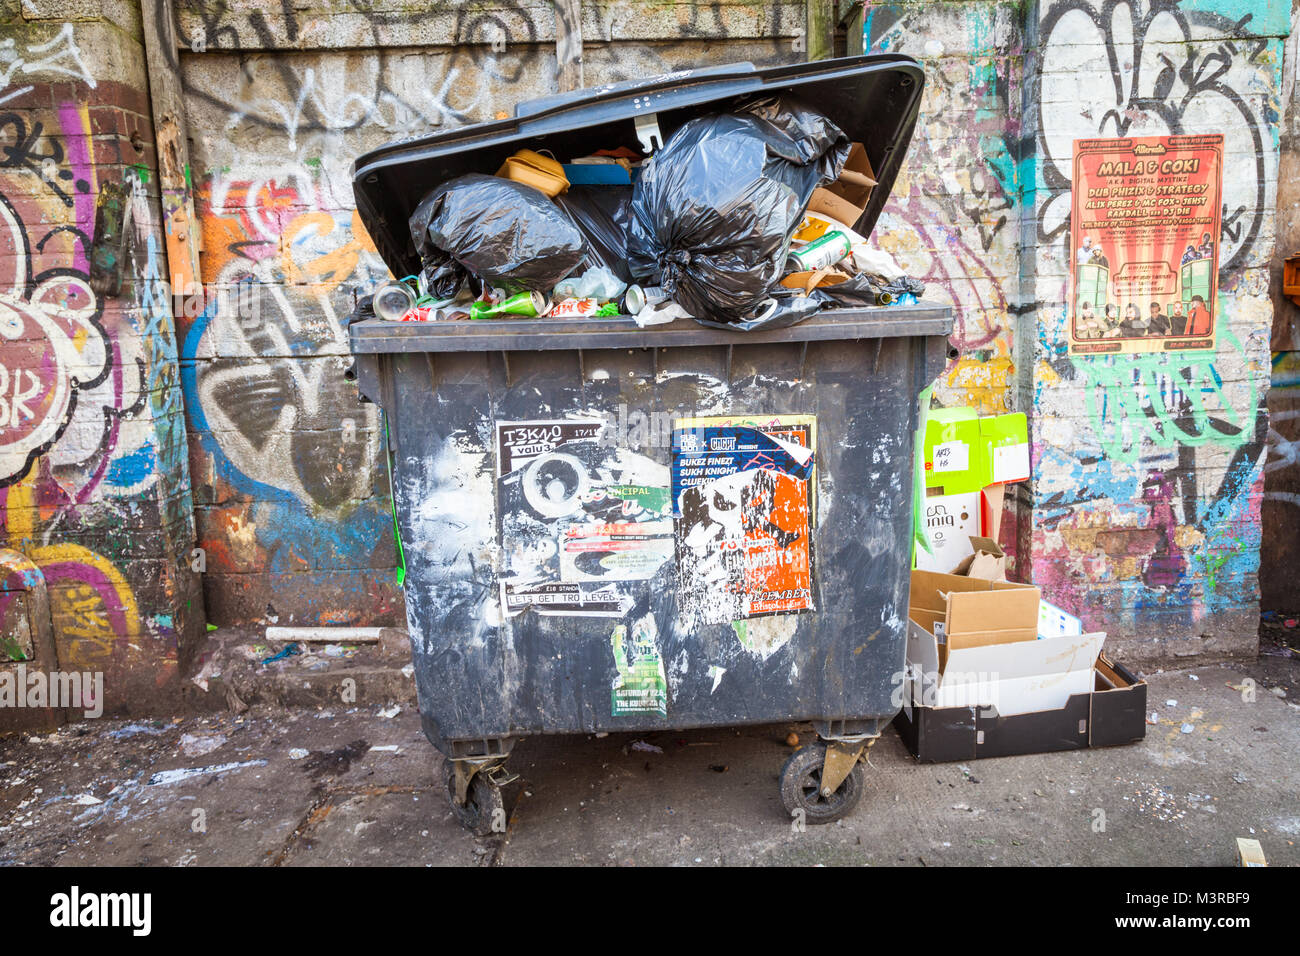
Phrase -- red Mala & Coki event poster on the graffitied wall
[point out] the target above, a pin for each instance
(1145, 244)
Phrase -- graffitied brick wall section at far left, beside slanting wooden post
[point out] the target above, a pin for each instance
(94, 486)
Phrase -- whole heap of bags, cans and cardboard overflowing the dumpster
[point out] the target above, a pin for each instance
(742, 220)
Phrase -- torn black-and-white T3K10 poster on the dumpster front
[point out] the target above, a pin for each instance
(583, 526)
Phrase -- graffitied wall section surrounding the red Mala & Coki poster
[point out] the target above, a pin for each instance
(1151, 468)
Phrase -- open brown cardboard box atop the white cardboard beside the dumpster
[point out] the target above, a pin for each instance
(974, 612)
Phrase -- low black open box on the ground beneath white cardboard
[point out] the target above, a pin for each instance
(1113, 713)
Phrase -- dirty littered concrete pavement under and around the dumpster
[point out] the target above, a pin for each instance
(356, 786)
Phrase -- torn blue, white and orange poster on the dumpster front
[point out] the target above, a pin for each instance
(744, 499)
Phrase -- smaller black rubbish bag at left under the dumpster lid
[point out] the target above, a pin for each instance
(509, 235)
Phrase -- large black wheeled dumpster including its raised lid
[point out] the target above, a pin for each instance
(619, 529)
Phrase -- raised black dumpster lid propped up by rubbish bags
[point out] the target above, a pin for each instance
(874, 100)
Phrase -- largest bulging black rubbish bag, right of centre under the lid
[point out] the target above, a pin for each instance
(714, 210)
